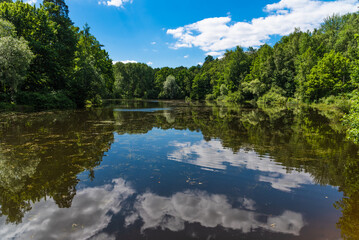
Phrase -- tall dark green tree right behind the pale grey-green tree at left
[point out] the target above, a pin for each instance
(35, 26)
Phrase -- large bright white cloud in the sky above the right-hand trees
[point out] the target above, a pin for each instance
(218, 34)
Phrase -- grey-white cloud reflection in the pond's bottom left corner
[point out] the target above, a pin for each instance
(88, 215)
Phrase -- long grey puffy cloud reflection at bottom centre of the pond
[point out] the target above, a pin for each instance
(209, 210)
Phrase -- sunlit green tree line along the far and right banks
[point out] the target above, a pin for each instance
(305, 66)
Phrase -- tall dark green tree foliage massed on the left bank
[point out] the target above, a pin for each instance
(65, 59)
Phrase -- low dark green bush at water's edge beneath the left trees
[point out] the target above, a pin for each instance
(43, 101)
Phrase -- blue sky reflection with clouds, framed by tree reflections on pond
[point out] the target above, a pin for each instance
(164, 183)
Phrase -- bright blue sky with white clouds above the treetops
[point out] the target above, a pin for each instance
(181, 33)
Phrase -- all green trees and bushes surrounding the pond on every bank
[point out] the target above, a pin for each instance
(48, 63)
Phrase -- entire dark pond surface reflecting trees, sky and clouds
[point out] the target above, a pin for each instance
(171, 170)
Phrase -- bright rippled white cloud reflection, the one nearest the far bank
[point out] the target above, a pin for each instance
(212, 155)
